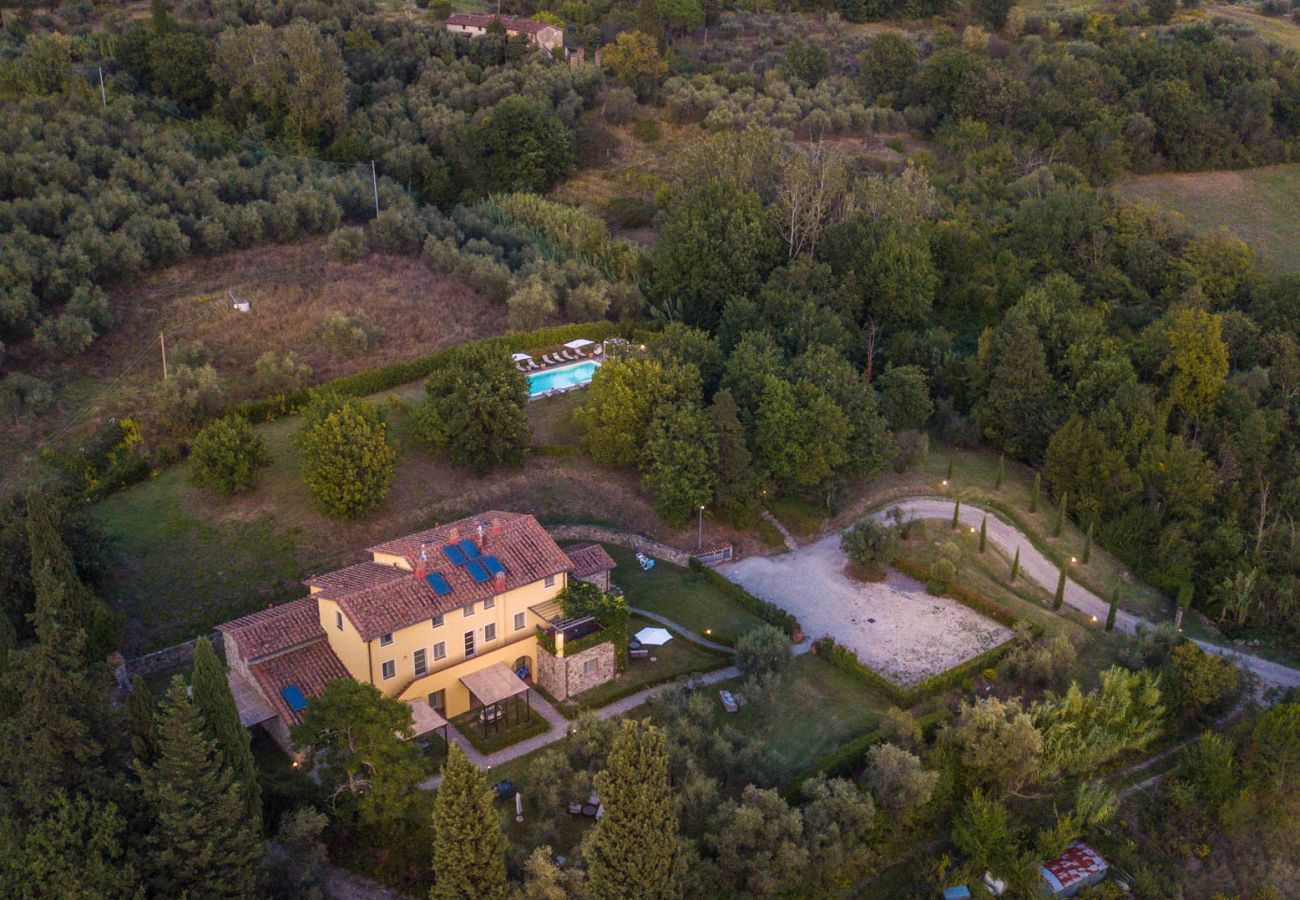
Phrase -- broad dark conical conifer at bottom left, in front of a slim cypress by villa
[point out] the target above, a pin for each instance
(202, 842)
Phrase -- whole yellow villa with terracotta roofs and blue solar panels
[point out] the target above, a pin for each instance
(430, 618)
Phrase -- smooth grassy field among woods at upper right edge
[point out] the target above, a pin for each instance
(1260, 206)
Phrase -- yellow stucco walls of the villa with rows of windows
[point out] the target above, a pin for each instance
(366, 661)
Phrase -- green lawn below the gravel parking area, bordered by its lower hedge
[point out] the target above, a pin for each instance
(814, 711)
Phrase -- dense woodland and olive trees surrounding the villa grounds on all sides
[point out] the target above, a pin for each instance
(818, 315)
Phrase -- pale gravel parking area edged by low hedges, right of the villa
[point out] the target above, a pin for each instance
(894, 626)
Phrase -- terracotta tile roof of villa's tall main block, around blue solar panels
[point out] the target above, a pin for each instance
(519, 543)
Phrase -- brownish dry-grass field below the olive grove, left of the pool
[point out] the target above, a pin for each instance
(292, 291)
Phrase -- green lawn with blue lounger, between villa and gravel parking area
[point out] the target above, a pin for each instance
(683, 596)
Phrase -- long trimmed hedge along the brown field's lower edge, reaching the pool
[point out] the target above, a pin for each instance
(385, 378)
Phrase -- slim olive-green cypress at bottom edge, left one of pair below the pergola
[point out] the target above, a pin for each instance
(469, 849)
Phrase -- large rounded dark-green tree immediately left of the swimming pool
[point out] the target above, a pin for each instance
(476, 412)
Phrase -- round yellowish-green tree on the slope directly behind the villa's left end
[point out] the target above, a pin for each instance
(346, 456)
